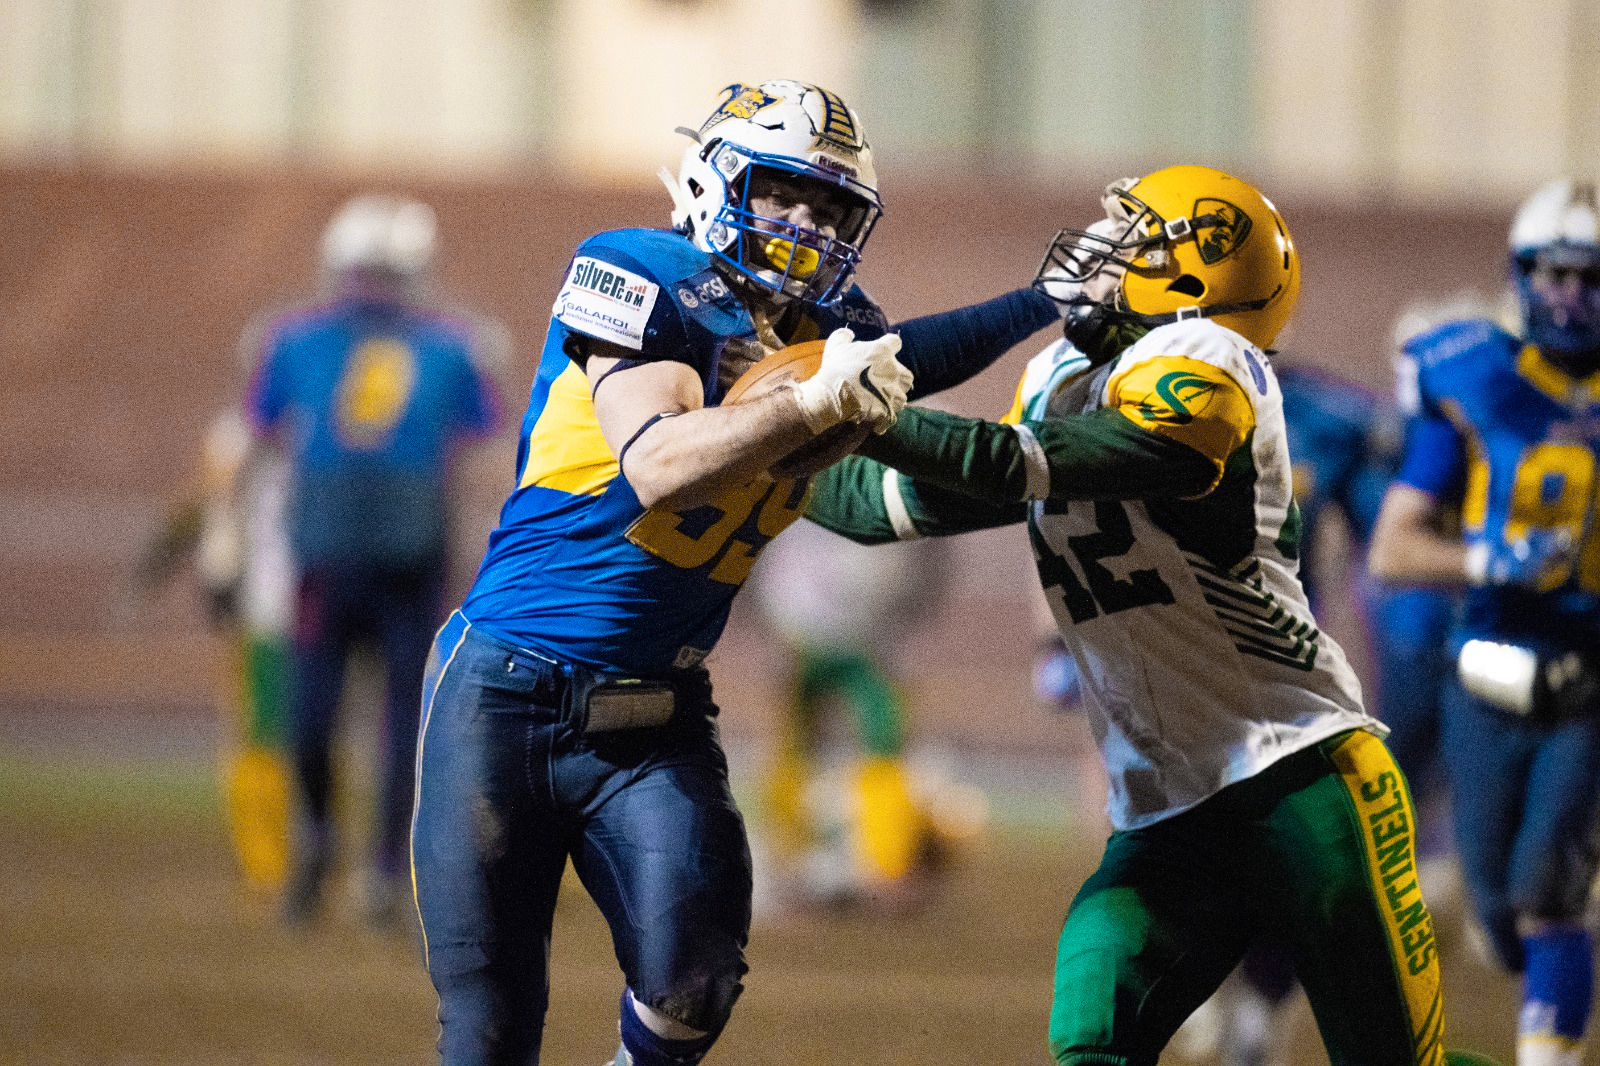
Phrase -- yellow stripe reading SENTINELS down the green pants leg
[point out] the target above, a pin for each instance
(1388, 833)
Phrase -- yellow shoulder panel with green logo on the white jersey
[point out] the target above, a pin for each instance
(1190, 401)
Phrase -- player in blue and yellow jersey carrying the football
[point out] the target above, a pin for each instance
(567, 715)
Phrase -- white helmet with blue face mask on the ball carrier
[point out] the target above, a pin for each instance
(791, 129)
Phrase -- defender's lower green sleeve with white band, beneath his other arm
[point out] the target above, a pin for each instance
(849, 500)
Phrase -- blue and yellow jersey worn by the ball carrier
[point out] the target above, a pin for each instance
(578, 569)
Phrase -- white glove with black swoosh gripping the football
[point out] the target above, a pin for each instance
(858, 382)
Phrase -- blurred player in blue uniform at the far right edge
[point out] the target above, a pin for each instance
(1505, 436)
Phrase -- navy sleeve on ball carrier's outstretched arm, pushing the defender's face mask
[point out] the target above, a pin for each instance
(946, 350)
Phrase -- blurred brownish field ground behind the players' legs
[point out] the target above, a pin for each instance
(126, 937)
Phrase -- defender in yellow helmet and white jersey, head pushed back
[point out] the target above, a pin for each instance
(1252, 795)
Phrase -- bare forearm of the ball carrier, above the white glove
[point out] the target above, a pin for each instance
(687, 460)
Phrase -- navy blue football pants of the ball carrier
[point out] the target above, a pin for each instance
(508, 790)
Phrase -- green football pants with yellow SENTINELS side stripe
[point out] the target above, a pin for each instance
(1314, 852)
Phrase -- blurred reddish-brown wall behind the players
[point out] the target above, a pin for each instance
(124, 297)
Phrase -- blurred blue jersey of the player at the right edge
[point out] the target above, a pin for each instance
(1514, 441)
